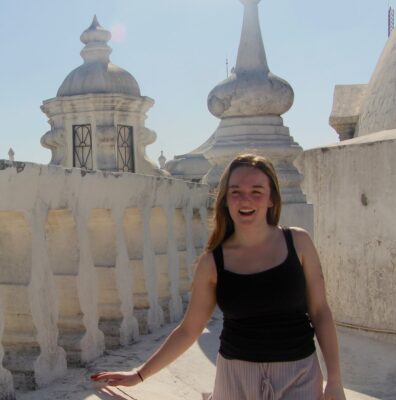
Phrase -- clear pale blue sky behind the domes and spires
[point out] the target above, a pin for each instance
(177, 51)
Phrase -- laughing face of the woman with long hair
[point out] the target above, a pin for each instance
(248, 196)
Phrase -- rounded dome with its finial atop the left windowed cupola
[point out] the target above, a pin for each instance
(98, 74)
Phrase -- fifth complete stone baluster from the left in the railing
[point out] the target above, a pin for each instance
(175, 302)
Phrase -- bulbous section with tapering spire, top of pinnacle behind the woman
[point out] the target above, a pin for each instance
(252, 90)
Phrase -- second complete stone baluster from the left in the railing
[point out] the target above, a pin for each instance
(92, 344)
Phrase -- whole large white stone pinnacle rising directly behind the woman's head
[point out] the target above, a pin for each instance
(250, 104)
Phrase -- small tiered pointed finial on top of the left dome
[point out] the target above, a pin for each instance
(95, 39)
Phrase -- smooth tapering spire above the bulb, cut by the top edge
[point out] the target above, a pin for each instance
(251, 53)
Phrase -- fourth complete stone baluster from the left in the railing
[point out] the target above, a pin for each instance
(155, 317)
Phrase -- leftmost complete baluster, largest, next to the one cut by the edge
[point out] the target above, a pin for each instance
(51, 363)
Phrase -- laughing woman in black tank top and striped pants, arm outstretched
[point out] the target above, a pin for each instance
(268, 283)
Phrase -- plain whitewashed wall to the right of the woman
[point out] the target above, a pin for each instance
(352, 186)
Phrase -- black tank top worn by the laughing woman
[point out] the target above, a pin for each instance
(265, 313)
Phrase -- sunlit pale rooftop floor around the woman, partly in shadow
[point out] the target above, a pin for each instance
(369, 370)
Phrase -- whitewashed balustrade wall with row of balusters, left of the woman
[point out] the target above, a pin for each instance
(88, 261)
